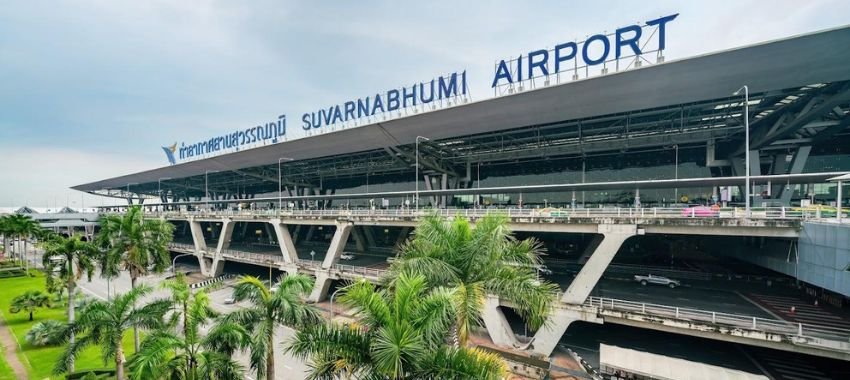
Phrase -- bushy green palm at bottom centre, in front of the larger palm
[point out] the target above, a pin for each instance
(402, 336)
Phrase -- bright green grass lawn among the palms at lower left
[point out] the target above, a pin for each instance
(40, 360)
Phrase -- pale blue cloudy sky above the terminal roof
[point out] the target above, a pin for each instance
(93, 89)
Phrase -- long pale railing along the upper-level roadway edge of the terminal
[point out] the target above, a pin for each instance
(792, 213)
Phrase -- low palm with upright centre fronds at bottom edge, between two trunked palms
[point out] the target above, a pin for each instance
(165, 355)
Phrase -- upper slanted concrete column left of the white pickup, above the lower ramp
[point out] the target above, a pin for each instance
(591, 272)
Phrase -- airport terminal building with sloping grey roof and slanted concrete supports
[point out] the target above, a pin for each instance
(641, 158)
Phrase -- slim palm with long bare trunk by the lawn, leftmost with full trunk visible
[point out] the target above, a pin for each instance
(74, 258)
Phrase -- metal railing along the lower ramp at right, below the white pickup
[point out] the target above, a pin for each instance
(774, 326)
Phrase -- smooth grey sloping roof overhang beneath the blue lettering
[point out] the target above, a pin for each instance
(789, 63)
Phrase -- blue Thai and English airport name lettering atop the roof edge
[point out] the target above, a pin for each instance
(630, 44)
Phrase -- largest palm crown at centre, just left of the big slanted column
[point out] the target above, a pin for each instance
(475, 262)
